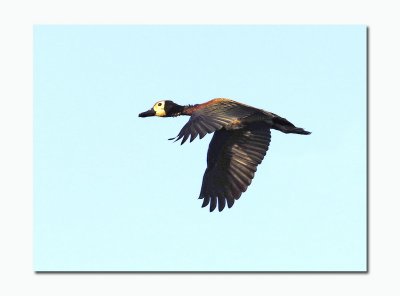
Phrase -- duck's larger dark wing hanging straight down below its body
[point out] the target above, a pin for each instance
(232, 160)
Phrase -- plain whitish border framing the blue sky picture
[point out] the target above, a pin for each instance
(17, 18)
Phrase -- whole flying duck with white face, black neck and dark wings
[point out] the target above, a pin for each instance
(241, 138)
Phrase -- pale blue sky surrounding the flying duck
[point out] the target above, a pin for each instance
(112, 194)
